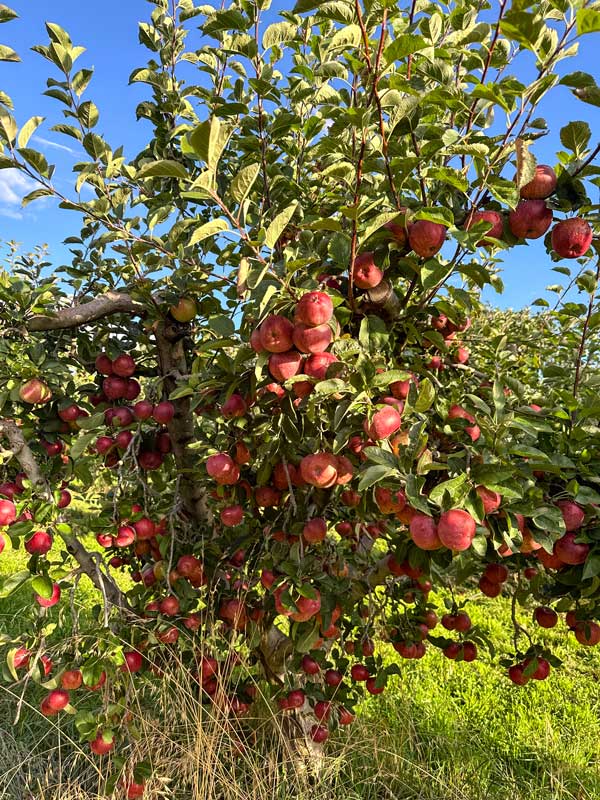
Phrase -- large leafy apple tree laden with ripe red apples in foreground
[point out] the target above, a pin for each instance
(263, 409)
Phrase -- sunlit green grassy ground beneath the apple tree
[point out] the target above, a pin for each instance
(441, 731)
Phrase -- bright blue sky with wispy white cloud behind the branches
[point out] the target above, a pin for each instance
(109, 32)
